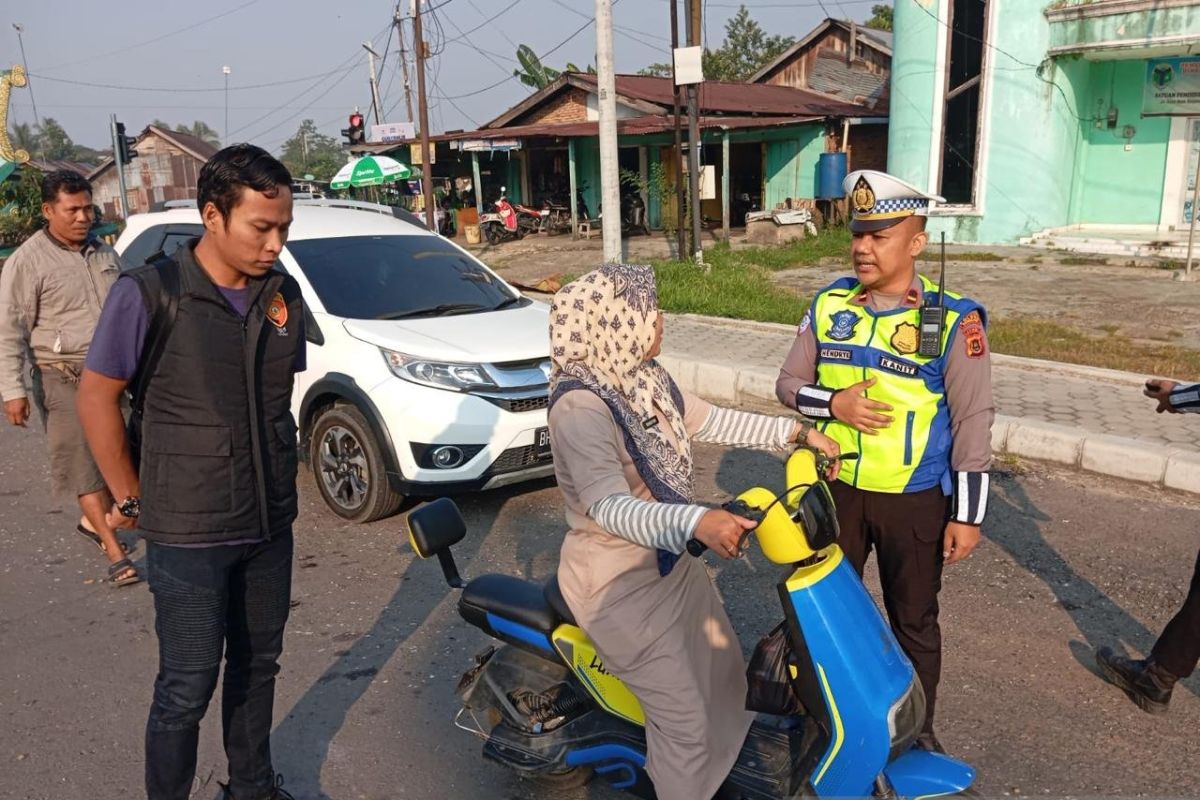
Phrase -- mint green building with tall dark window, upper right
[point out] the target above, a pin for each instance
(1066, 122)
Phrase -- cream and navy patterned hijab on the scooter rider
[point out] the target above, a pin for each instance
(602, 327)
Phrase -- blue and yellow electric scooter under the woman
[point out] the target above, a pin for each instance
(547, 708)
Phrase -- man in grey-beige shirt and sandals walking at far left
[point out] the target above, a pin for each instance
(51, 294)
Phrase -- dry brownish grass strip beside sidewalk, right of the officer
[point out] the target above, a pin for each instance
(1040, 340)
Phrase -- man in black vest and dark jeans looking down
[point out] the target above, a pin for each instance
(214, 494)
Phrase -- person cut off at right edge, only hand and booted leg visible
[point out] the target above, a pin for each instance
(1149, 683)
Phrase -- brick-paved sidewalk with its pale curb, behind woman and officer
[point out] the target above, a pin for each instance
(1096, 419)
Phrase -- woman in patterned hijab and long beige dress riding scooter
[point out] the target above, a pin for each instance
(622, 434)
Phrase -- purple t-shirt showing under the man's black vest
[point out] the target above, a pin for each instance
(121, 336)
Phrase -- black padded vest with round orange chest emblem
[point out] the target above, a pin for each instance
(219, 442)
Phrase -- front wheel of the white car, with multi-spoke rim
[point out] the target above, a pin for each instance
(349, 466)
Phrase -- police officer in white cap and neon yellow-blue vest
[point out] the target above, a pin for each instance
(915, 404)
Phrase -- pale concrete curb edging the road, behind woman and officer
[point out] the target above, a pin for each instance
(1096, 453)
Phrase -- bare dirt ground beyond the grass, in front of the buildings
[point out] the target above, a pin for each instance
(1132, 298)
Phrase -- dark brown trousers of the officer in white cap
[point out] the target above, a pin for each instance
(907, 533)
